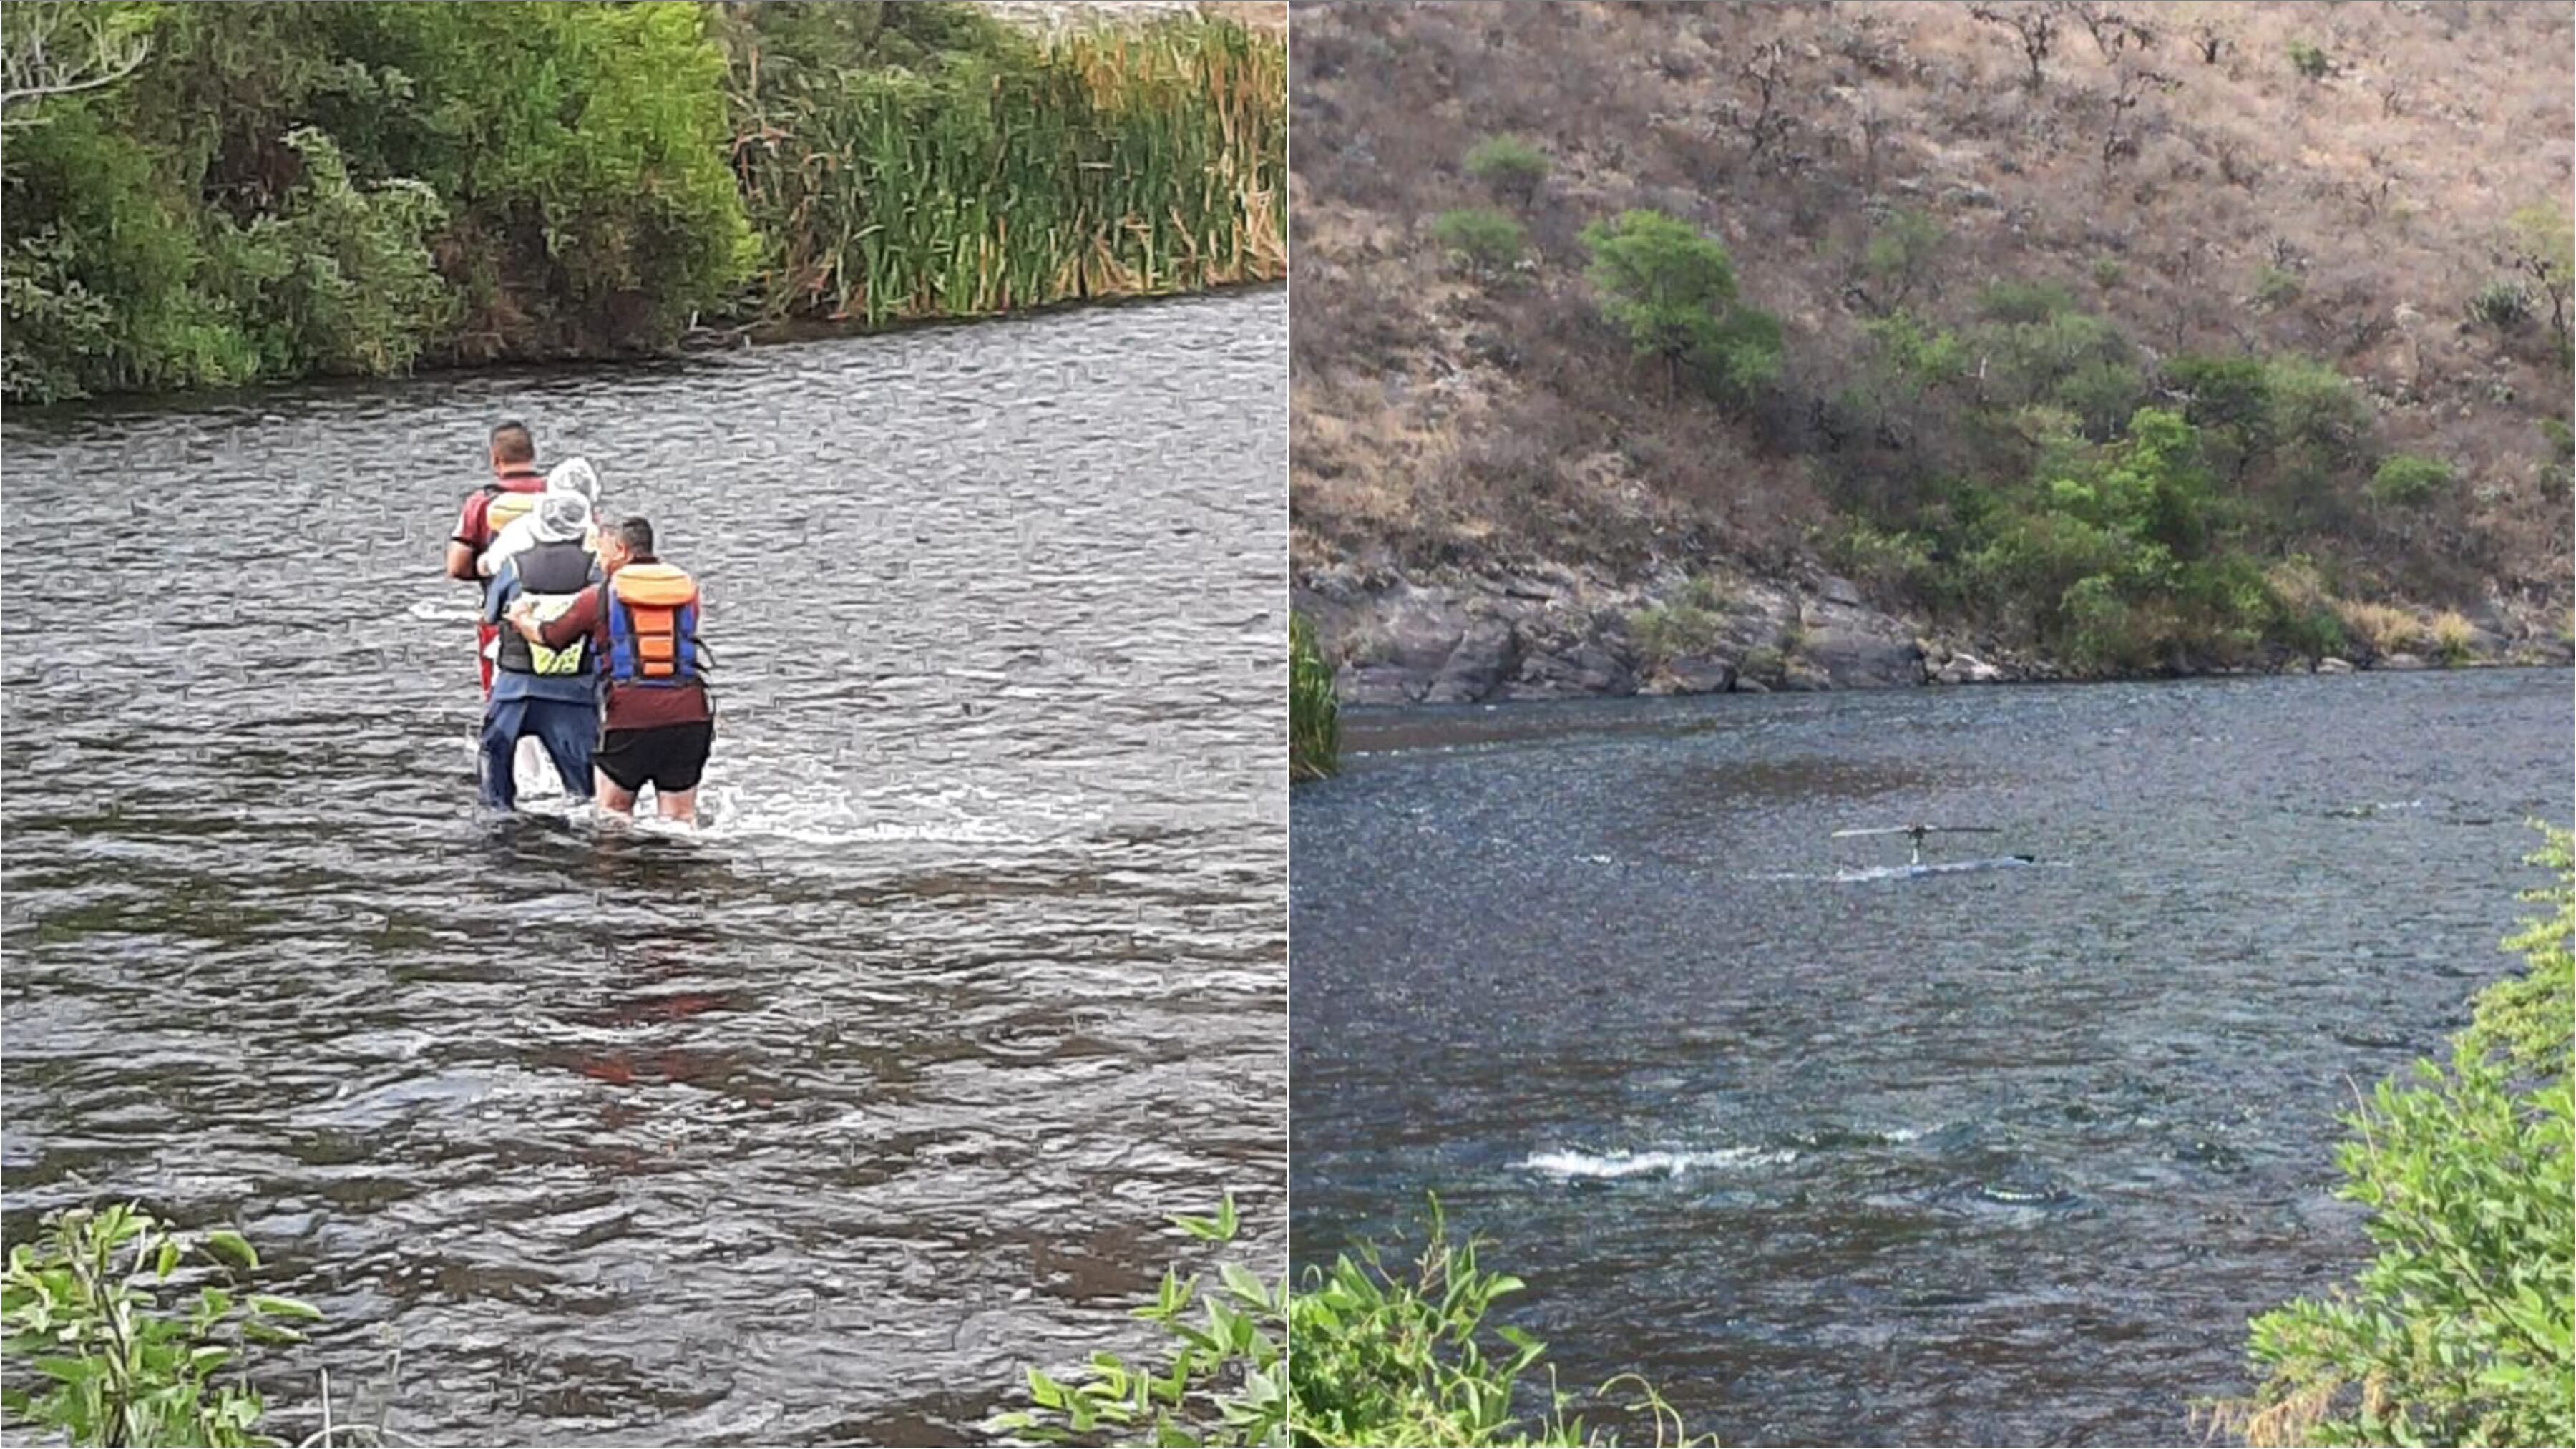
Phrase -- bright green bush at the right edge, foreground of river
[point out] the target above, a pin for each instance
(2461, 1327)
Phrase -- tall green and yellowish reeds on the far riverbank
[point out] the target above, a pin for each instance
(1109, 164)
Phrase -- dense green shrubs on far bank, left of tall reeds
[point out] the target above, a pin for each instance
(264, 197)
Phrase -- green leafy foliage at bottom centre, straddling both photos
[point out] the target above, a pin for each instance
(1361, 1355)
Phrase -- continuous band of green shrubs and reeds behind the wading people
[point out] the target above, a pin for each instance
(359, 190)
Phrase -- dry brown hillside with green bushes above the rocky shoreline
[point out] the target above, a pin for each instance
(2142, 352)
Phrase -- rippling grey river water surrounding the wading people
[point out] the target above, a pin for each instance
(813, 1128)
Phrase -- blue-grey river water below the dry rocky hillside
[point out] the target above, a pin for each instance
(1848, 1156)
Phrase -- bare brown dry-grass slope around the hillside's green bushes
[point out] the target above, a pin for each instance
(2191, 184)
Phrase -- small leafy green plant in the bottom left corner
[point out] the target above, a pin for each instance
(84, 1306)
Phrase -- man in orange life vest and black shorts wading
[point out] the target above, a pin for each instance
(643, 625)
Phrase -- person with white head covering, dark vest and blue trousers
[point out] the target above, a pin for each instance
(545, 692)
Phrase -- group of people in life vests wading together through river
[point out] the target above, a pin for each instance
(589, 641)
